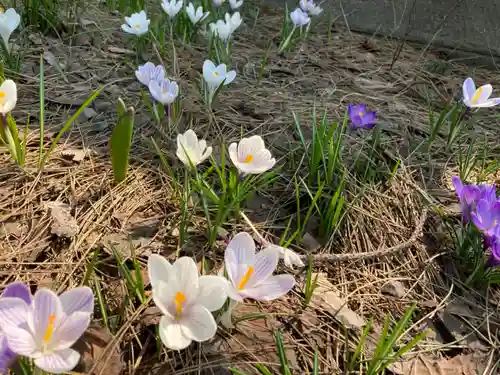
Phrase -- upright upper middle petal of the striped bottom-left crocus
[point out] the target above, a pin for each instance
(45, 305)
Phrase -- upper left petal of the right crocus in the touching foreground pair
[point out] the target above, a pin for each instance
(239, 252)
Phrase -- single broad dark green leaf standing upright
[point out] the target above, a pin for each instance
(121, 141)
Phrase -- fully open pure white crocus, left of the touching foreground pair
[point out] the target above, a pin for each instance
(185, 299)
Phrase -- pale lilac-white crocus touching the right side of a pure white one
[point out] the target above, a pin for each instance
(251, 274)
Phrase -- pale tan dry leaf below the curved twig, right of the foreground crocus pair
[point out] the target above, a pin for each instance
(327, 297)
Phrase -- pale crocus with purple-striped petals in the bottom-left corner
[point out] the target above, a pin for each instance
(46, 329)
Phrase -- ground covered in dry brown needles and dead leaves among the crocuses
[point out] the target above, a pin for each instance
(328, 71)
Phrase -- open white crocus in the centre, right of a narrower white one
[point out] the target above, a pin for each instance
(251, 156)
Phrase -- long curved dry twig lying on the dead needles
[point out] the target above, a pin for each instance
(355, 256)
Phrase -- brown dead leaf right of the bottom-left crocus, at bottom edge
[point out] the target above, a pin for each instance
(92, 347)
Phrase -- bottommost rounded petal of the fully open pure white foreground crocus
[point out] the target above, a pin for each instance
(198, 324)
